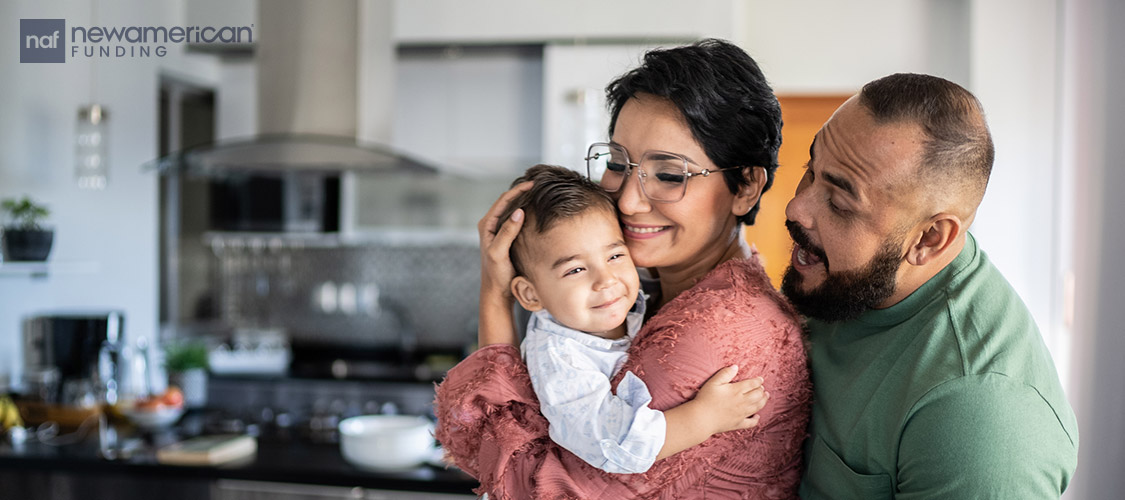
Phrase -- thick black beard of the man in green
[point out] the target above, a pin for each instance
(848, 294)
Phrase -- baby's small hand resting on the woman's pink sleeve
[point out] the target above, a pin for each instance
(731, 406)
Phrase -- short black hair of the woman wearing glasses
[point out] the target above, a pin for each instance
(727, 102)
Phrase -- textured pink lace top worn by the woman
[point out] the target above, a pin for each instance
(490, 425)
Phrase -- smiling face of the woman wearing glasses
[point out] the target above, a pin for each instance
(695, 231)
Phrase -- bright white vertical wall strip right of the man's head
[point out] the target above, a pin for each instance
(1015, 75)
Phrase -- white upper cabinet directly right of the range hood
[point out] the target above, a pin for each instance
(473, 110)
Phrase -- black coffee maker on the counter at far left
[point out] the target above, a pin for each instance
(71, 367)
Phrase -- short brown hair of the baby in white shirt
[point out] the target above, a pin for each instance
(559, 194)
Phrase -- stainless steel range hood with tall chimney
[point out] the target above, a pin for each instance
(310, 66)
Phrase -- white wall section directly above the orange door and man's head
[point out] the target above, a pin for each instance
(825, 47)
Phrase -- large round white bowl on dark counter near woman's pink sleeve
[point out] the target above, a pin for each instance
(386, 442)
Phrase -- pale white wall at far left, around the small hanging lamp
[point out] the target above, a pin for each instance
(114, 229)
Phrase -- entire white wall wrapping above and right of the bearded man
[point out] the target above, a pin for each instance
(1004, 51)
